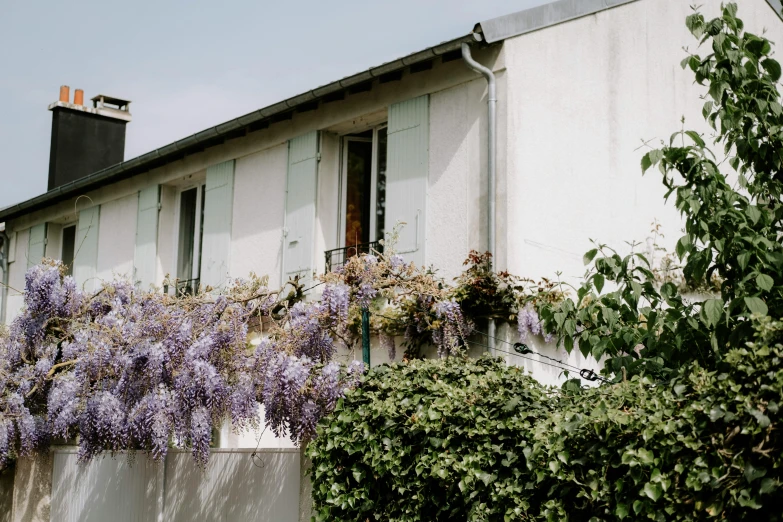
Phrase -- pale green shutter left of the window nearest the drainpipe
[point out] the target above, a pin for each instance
(298, 237)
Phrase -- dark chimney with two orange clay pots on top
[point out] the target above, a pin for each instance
(85, 139)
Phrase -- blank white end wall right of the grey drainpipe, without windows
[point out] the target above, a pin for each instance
(584, 96)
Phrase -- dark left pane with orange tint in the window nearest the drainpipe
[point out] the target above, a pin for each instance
(357, 204)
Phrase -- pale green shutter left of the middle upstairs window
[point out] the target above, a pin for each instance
(145, 259)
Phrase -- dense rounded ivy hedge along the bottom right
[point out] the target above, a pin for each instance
(476, 440)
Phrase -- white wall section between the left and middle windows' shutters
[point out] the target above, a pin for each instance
(117, 238)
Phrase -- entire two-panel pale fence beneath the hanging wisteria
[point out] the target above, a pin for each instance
(234, 487)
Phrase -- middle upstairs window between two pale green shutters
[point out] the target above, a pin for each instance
(191, 231)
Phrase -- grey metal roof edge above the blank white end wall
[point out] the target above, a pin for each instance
(543, 16)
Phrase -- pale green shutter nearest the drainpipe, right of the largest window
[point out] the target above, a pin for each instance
(406, 175)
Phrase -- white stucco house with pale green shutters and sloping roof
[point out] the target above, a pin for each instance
(581, 85)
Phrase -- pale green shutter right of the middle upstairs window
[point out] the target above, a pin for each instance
(216, 244)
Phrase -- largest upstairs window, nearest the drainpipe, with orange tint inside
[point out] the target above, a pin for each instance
(363, 187)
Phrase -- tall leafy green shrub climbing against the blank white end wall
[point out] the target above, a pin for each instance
(732, 234)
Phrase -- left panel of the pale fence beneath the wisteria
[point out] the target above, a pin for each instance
(105, 489)
